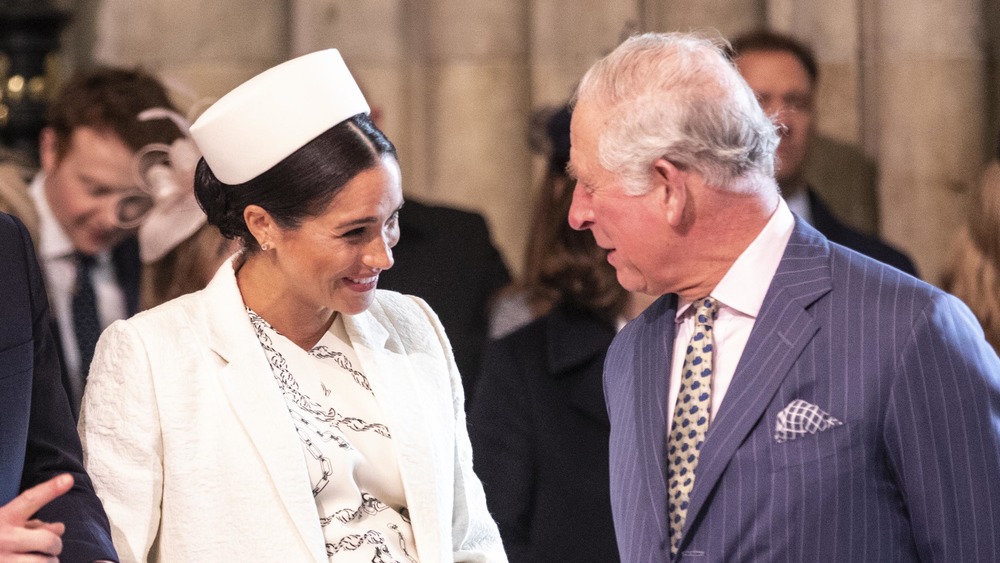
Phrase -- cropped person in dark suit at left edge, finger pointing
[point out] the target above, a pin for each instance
(38, 440)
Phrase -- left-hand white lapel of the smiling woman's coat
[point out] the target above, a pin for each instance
(253, 395)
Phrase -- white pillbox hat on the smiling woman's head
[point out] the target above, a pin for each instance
(270, 116)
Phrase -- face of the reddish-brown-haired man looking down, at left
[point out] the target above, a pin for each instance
(84, 186)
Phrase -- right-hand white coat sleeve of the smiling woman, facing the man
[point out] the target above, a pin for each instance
(475, 537)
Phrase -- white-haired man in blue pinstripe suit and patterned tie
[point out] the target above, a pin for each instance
(786, 399)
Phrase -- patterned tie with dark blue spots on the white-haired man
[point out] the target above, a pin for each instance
(687, 431)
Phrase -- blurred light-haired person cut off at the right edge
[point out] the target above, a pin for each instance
(973, 275)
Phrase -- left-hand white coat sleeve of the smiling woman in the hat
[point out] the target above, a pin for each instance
(120, 431)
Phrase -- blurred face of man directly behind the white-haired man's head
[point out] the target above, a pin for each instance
(782, 85)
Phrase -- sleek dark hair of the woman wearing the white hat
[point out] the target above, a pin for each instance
(300, 186)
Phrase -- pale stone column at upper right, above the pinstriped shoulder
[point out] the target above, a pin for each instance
(924, 76)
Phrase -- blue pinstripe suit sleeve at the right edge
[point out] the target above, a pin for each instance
(942, 430)
